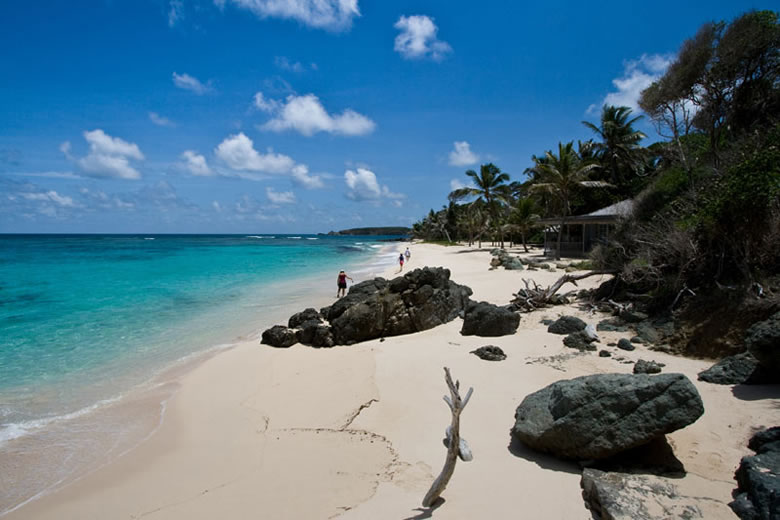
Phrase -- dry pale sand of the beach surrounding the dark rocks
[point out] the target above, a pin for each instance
(356, 432)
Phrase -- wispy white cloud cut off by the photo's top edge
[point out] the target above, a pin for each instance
(333, 15)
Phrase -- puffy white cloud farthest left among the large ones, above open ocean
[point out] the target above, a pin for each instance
(108, 157)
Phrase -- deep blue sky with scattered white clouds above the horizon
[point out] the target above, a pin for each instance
(252, 116)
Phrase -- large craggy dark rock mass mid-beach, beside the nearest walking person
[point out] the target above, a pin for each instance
(419, 300)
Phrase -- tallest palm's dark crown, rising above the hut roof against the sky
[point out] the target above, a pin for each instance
(619, 149)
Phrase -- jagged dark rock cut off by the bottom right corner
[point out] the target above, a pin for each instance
(758, 477)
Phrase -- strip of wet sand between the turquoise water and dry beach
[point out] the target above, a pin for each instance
(139, 411)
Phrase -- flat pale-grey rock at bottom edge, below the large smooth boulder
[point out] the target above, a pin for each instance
(625, 496)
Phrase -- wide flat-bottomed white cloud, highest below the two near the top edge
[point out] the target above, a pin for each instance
(306, 115)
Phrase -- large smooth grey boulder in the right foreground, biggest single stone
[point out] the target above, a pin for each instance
(593, 417)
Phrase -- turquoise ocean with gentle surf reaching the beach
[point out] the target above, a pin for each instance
(84, 319)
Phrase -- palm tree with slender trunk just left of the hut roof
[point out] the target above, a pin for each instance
(562, 176)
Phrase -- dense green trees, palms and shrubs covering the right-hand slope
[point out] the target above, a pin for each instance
(706, 200)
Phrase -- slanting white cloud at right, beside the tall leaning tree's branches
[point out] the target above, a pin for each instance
(637, 76)
